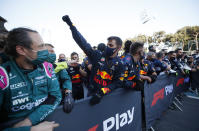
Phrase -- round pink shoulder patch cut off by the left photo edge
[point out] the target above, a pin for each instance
(4, 80)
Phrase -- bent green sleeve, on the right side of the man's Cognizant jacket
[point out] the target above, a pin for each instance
(49, 105)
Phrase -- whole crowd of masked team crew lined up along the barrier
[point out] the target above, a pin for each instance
(33, 84)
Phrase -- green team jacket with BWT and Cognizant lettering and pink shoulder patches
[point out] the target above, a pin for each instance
(28, 93)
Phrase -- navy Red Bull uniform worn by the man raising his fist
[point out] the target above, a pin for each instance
(106, 73)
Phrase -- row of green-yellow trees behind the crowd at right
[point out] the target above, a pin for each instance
(185, 35)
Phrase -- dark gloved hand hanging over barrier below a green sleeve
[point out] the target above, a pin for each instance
(68, 103)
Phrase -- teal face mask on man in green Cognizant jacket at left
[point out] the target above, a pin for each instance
(42, 56)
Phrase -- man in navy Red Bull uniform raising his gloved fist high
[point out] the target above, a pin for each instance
(107, 69)
